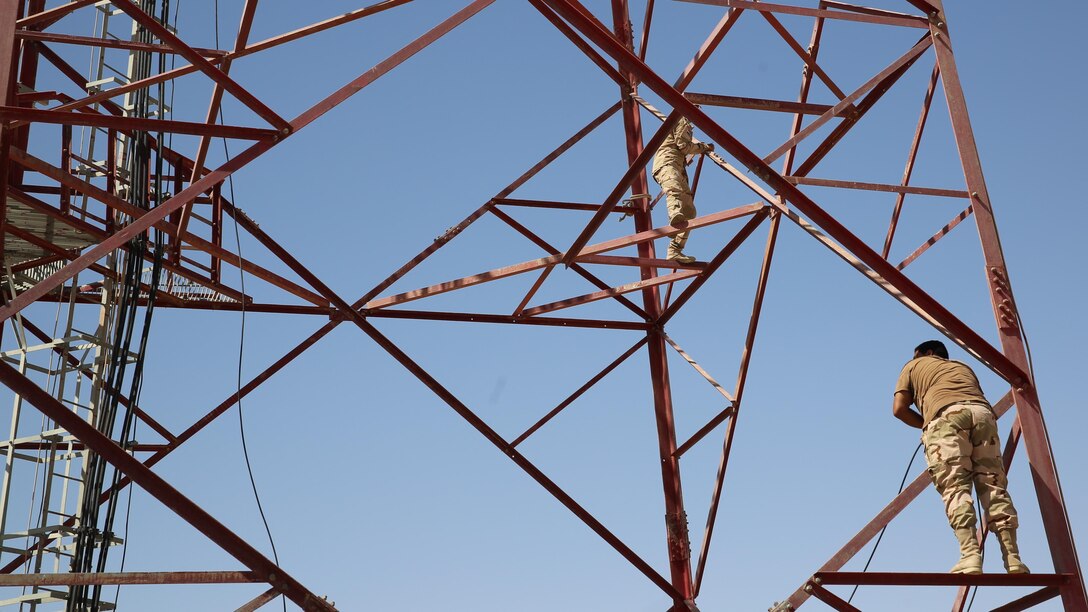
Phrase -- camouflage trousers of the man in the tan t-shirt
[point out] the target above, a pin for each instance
(962, 448)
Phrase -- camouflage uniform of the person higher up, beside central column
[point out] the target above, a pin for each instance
(671, 173)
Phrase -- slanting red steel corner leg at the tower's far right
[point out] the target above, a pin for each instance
(1036, 440)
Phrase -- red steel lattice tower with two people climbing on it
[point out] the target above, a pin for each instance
(119, 206)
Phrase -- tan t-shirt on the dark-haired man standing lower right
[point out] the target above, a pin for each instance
(936, 384)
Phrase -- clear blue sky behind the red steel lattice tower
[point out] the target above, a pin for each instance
(380, 496)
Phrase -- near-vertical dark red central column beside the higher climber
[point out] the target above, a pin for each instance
(676, 520)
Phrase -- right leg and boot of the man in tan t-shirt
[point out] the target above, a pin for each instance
(992, 484)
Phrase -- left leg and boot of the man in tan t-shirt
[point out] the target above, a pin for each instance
(949, 456)
